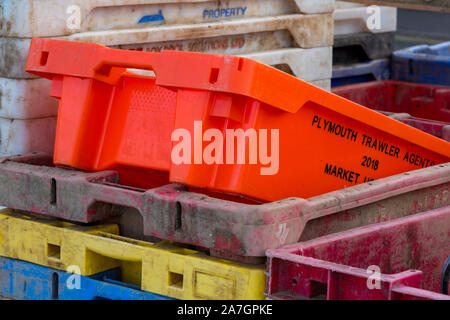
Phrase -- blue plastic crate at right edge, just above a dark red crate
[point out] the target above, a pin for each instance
(423, 64)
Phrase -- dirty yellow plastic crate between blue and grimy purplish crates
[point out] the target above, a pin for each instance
(164, 268)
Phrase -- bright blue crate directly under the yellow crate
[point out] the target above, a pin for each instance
(21, 280)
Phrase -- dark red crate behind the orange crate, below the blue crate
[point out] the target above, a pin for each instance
(419, 100)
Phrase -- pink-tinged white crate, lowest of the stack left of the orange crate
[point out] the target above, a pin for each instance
(23, 136)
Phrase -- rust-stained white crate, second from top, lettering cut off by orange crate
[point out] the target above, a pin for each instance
(236, 37)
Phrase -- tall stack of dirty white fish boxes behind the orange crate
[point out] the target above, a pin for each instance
(294, 35)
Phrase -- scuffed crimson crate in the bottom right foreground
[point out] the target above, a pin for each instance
(409, 254)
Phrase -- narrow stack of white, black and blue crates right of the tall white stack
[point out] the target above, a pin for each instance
(363, 42)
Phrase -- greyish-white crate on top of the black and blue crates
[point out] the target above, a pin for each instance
(352, 18)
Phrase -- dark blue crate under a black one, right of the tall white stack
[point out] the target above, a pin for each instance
(360, 72)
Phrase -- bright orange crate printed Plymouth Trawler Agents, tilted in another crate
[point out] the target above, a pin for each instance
(110, 118)
